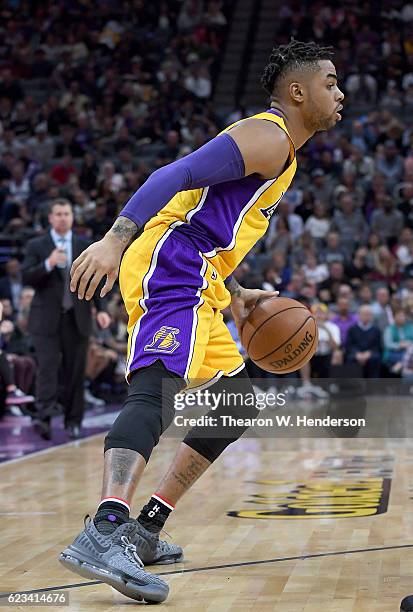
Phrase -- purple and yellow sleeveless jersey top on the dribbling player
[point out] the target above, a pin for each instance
(224, 221)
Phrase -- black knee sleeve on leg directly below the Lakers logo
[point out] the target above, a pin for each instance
(147, 411)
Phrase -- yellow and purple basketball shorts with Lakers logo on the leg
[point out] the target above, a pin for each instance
(174, 297)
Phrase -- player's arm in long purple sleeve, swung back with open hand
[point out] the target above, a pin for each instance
(255, 146)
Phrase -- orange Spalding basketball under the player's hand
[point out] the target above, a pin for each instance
(280, 335)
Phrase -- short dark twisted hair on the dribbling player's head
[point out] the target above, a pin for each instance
(293, 56)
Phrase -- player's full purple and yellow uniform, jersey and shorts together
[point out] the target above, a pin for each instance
(172, 276)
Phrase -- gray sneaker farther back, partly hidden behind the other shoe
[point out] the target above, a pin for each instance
(152, 550)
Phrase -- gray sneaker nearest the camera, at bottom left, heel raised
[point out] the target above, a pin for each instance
(114, 560)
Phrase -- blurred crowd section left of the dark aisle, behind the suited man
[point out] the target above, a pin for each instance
(93, 97)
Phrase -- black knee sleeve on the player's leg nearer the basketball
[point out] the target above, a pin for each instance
(210, 442)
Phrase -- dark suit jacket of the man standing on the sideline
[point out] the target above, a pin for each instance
(46, 308)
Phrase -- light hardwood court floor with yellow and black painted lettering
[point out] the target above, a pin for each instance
(44, 498)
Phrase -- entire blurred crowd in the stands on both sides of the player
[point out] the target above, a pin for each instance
(94, 97)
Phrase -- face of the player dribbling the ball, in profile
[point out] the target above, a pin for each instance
(324, 103)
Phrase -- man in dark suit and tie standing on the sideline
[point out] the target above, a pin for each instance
(59, 322)
